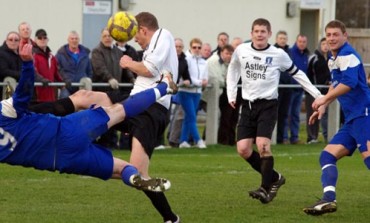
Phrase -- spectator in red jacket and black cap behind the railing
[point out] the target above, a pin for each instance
(46, 66)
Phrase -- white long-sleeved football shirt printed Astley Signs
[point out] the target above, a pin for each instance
(259, 71)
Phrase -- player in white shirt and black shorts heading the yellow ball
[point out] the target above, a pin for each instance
(159, 56)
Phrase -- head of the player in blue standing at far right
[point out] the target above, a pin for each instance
(336, 35)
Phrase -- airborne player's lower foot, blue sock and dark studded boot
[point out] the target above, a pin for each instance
(131, 177)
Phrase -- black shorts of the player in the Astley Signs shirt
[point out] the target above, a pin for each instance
(257, 118)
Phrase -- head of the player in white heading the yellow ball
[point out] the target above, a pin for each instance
(147, 24)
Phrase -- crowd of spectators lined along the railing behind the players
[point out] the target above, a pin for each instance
(200, 66)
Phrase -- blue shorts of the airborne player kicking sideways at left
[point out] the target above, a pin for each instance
(75, 152)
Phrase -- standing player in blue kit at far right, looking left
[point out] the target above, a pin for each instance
(349, 86)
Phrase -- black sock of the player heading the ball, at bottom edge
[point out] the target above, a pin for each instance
(160, 202)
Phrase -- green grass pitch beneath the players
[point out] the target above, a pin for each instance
(207, 186)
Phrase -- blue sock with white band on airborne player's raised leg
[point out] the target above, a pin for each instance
(141, 101)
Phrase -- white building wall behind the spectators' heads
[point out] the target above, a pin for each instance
(185, 19)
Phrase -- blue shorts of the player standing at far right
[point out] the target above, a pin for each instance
(354, 134)
